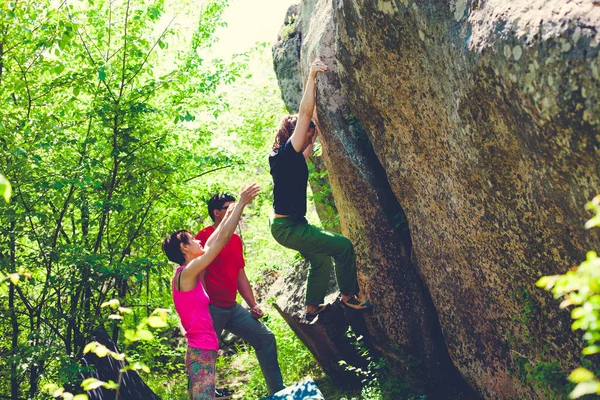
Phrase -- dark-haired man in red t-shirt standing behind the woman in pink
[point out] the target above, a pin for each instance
(223, 278)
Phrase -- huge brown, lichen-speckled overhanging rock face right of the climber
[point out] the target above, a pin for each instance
(461, 140)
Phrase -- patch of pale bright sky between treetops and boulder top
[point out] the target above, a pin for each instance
(248, 22)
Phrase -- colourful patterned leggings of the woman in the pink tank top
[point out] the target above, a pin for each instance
(200, 365)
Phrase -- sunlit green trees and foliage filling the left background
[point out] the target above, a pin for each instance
(114, 130)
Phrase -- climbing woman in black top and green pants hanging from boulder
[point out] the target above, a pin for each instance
(293, 145)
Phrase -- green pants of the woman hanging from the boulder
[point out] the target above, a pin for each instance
(317, 246)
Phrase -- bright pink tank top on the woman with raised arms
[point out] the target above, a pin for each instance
(192, 307)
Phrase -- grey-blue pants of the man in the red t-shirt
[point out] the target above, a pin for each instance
(239, 321)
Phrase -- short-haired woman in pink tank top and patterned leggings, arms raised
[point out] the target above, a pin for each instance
(191, 300)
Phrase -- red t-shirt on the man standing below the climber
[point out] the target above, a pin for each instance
(222, 274)
